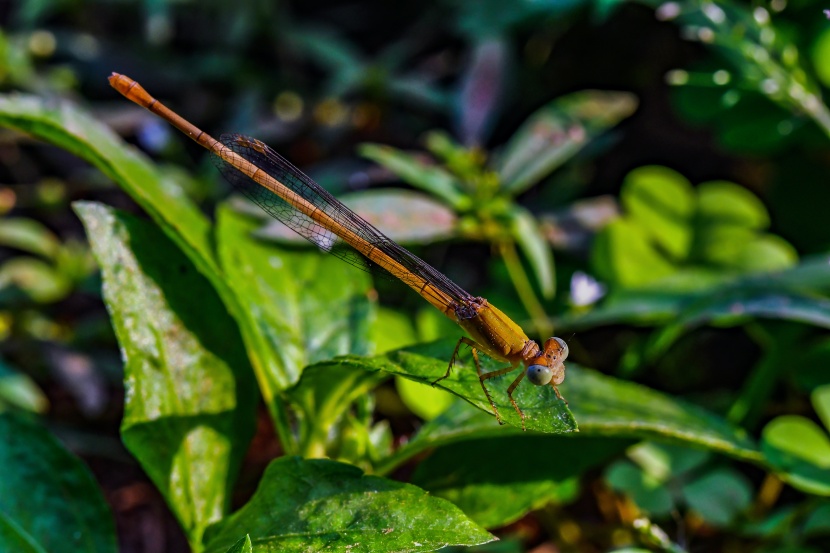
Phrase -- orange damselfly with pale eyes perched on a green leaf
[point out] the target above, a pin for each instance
(290, 196)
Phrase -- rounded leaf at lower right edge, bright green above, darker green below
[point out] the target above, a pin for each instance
(800, 451)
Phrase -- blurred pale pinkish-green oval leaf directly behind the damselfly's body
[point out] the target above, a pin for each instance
(405, 216)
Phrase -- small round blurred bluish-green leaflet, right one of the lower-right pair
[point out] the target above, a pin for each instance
(719, 496)
